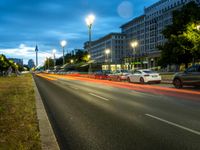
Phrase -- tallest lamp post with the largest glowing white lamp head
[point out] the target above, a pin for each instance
(89, 21)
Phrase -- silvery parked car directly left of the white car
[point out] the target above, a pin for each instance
(119, 75)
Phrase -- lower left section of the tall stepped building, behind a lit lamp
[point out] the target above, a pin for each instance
(135, 31)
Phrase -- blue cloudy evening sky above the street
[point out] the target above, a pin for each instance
(25, 23)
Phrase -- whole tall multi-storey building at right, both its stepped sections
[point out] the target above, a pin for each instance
(147, 30)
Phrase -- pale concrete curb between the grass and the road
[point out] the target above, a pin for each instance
(47, 136)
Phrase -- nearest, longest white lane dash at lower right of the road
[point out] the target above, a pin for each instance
(174, 124)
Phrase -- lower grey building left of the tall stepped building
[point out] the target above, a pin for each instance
(114, 43)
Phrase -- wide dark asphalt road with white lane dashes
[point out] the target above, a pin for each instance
(91, 116)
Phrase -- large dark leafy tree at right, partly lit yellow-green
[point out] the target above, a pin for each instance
(180, 46)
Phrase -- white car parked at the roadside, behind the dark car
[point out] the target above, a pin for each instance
(144, 76)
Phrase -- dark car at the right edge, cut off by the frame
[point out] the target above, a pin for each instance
(189, 77)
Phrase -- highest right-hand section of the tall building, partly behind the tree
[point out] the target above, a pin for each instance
(157, 17)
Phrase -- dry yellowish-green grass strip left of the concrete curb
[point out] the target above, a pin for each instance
(18, 121)
